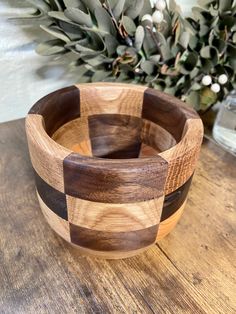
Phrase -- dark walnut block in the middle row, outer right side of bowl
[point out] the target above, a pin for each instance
(175, 200)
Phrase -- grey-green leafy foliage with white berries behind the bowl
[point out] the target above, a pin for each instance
(146, 42)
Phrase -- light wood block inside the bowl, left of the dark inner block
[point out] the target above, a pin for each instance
(74, 135)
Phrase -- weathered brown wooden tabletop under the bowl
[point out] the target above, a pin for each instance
(190, 271)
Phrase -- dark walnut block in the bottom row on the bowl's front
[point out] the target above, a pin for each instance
(113, 241)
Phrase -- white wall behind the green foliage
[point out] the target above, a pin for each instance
(24, 76)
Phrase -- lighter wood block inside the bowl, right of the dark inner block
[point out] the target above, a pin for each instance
(155, 136)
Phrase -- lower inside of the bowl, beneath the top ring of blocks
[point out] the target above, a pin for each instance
(115, 136)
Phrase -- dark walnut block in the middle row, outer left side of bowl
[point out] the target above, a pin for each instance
(55, 200)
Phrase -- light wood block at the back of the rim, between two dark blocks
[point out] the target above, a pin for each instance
(117, 98)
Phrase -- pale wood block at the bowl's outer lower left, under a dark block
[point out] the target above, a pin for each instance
(59, 225)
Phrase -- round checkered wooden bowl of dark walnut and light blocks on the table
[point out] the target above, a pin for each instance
(113, 164)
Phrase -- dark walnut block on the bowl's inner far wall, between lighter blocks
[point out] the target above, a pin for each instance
(115, 135)
